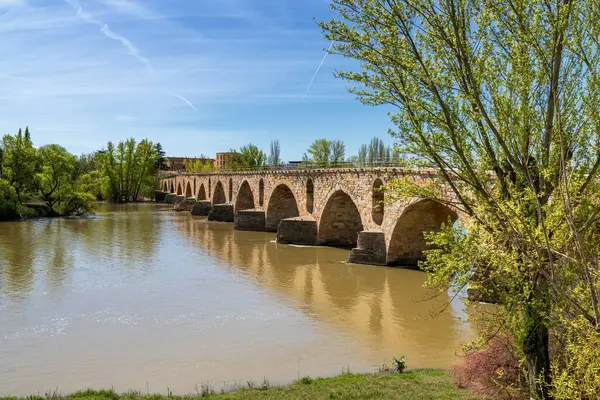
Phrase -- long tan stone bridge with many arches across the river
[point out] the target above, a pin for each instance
(334, 207)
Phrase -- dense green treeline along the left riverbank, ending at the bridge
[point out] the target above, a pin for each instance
(50, 181)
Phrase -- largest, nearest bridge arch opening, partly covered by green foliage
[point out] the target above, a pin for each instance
(407, 242)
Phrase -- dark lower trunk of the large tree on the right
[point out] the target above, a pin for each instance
(536, 346)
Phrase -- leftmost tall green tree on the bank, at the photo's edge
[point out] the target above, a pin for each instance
(19, 162)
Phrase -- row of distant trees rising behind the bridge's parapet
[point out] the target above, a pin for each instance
(322, 153)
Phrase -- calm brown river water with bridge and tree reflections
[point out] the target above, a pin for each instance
(142, 298)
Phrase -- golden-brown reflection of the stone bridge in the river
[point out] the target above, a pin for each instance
(387, 309)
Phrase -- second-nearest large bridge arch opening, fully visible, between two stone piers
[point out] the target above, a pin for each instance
(340, 221)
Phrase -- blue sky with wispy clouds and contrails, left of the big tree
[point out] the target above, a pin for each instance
(199, 76)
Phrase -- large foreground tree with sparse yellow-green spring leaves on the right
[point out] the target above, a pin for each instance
(501, 97)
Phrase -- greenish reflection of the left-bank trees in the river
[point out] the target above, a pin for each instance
(50, 246)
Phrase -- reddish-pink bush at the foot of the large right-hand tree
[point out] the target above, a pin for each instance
(493, 372)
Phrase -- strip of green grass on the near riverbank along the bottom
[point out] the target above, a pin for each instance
(413, 385)
